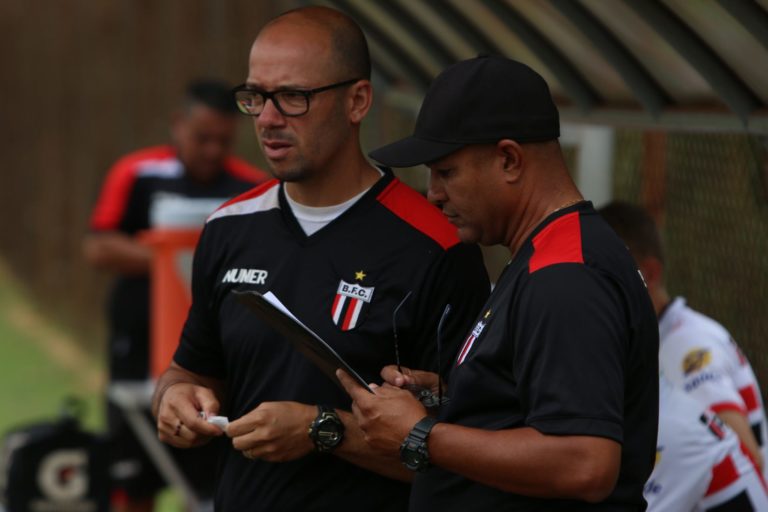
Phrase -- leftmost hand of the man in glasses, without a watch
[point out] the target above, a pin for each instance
(179, 422)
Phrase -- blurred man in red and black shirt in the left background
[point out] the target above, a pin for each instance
(168, 185)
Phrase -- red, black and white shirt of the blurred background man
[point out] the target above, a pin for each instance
(136, 188)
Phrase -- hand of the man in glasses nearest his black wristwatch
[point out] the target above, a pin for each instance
(274, 431)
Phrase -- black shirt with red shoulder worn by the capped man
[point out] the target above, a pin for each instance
(567, 344)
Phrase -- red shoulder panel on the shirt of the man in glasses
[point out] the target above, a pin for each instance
(414, 209)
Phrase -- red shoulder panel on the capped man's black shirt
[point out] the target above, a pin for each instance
(560, 242)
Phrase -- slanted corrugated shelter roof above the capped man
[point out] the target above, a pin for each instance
(699, 64)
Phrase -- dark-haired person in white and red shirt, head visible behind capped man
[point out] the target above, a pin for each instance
(696, 354)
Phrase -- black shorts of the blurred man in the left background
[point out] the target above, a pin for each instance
(132, 470)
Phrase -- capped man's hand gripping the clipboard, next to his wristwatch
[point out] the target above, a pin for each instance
(386, 416)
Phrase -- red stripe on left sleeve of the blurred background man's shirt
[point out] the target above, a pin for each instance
(117, 187)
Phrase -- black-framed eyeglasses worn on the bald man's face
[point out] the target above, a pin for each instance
(289, 102)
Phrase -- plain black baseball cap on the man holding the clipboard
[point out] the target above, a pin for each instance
(477, 101)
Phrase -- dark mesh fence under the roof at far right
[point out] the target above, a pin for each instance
(709, 193)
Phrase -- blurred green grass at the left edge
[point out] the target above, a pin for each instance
(41, 365)
